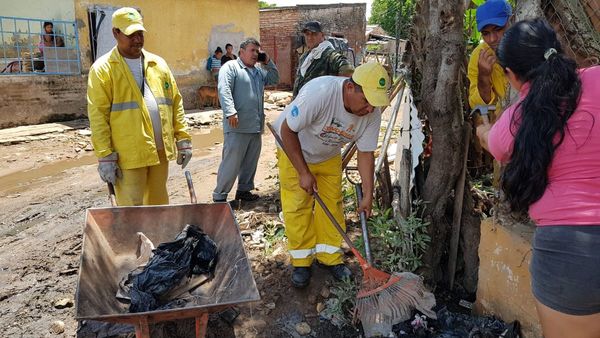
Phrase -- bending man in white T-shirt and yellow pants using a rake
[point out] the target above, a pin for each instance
(328, 112)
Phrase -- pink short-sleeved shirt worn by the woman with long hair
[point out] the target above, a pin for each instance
(572, 196)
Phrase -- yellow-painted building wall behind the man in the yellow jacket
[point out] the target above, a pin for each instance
(184, 33)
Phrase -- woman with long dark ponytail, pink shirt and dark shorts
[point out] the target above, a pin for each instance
(550, 142)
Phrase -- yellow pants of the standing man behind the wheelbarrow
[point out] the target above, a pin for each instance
(144, 186)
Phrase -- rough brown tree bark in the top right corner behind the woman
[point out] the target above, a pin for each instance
(578, 24)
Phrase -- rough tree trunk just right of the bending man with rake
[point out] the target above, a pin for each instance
(439, 50)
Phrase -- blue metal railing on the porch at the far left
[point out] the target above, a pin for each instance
(38, 47)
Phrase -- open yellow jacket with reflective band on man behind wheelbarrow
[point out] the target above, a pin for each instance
(119, 119)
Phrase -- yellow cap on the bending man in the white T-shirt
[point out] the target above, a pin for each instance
(373, 79)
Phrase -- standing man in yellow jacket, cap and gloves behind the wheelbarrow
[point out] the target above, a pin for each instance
(136, 116)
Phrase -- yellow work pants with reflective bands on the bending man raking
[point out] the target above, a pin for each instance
(309, 231)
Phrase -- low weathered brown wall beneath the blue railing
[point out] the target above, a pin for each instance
(40, 99)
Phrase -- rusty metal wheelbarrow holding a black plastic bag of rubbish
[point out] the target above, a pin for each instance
(109, 253)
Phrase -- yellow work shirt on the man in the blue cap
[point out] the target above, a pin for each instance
(499, 82)
